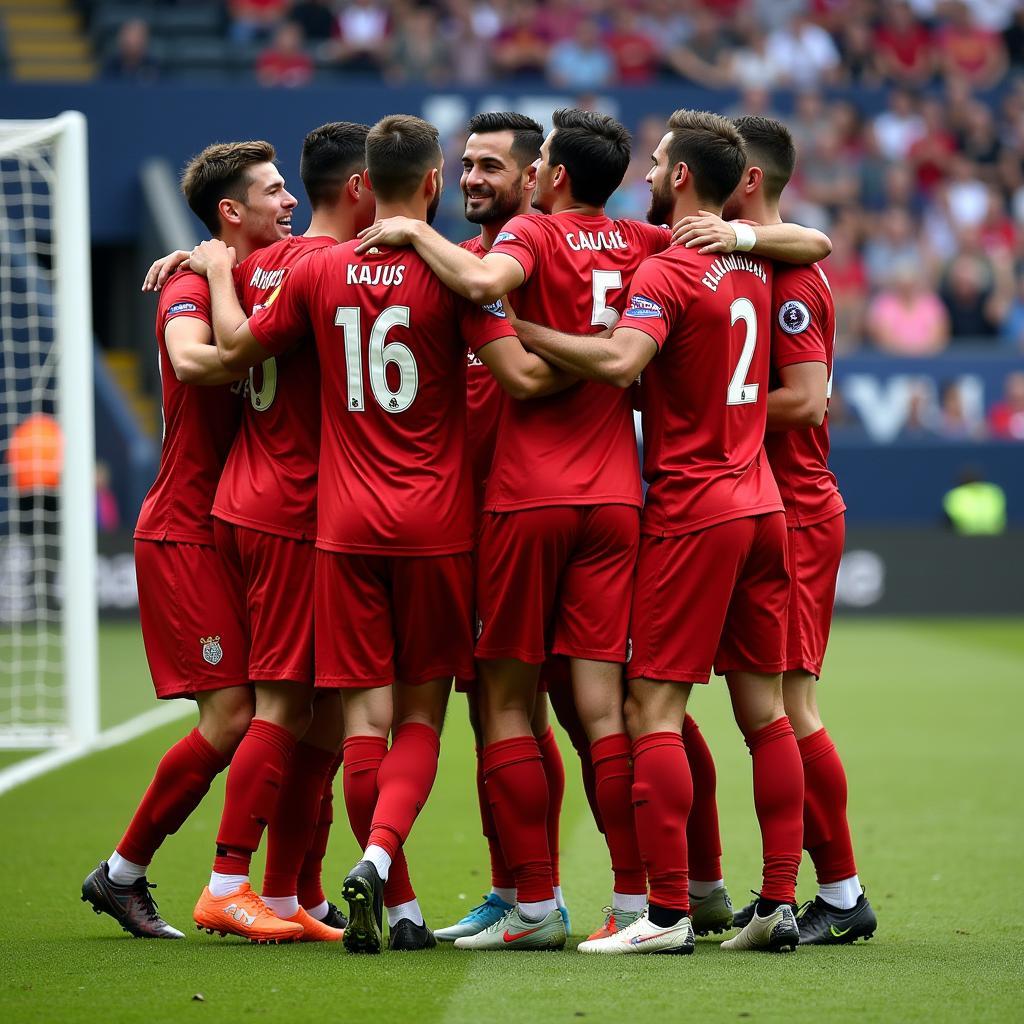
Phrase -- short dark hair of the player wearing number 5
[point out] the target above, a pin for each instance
(594, 149)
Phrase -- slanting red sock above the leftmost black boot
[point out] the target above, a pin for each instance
(182, 781)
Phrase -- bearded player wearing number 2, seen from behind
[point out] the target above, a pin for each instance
(712, 584)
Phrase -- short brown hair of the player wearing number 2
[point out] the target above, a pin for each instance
(713, 151)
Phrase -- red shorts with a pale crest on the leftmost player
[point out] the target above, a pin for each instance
(195, 637)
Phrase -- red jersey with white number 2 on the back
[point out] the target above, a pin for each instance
(705, 395)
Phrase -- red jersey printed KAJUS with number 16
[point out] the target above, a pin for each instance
(393, 339)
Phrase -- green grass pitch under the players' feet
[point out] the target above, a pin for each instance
(926, 715)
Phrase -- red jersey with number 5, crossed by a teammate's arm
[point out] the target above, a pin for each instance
(579, 447)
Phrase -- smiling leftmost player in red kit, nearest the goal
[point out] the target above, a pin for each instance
(197, 643)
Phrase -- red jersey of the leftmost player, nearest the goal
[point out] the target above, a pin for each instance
(200, 424)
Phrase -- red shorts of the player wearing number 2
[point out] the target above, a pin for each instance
(712, 600)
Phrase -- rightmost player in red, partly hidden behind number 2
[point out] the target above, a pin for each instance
(797, 445)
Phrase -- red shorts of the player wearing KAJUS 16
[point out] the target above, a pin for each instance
(382, 618)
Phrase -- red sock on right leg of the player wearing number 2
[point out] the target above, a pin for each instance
(779, 800)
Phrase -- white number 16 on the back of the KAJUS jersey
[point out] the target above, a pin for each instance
(379, 356)
